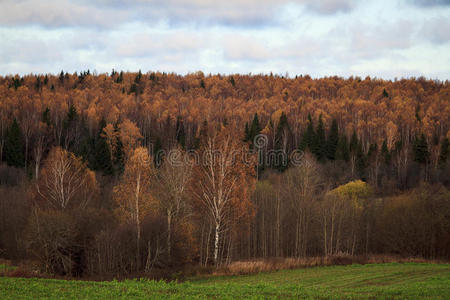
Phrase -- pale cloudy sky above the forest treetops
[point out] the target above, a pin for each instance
(381, 38)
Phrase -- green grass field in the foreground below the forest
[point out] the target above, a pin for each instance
(399, 281)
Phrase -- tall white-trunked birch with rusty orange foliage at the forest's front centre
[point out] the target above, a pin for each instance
(222, 182)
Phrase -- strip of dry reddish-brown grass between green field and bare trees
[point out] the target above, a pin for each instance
(274, 264)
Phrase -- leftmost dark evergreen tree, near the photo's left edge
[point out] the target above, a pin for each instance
(14, 149)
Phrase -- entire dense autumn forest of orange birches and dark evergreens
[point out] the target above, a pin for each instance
(100, 175)
